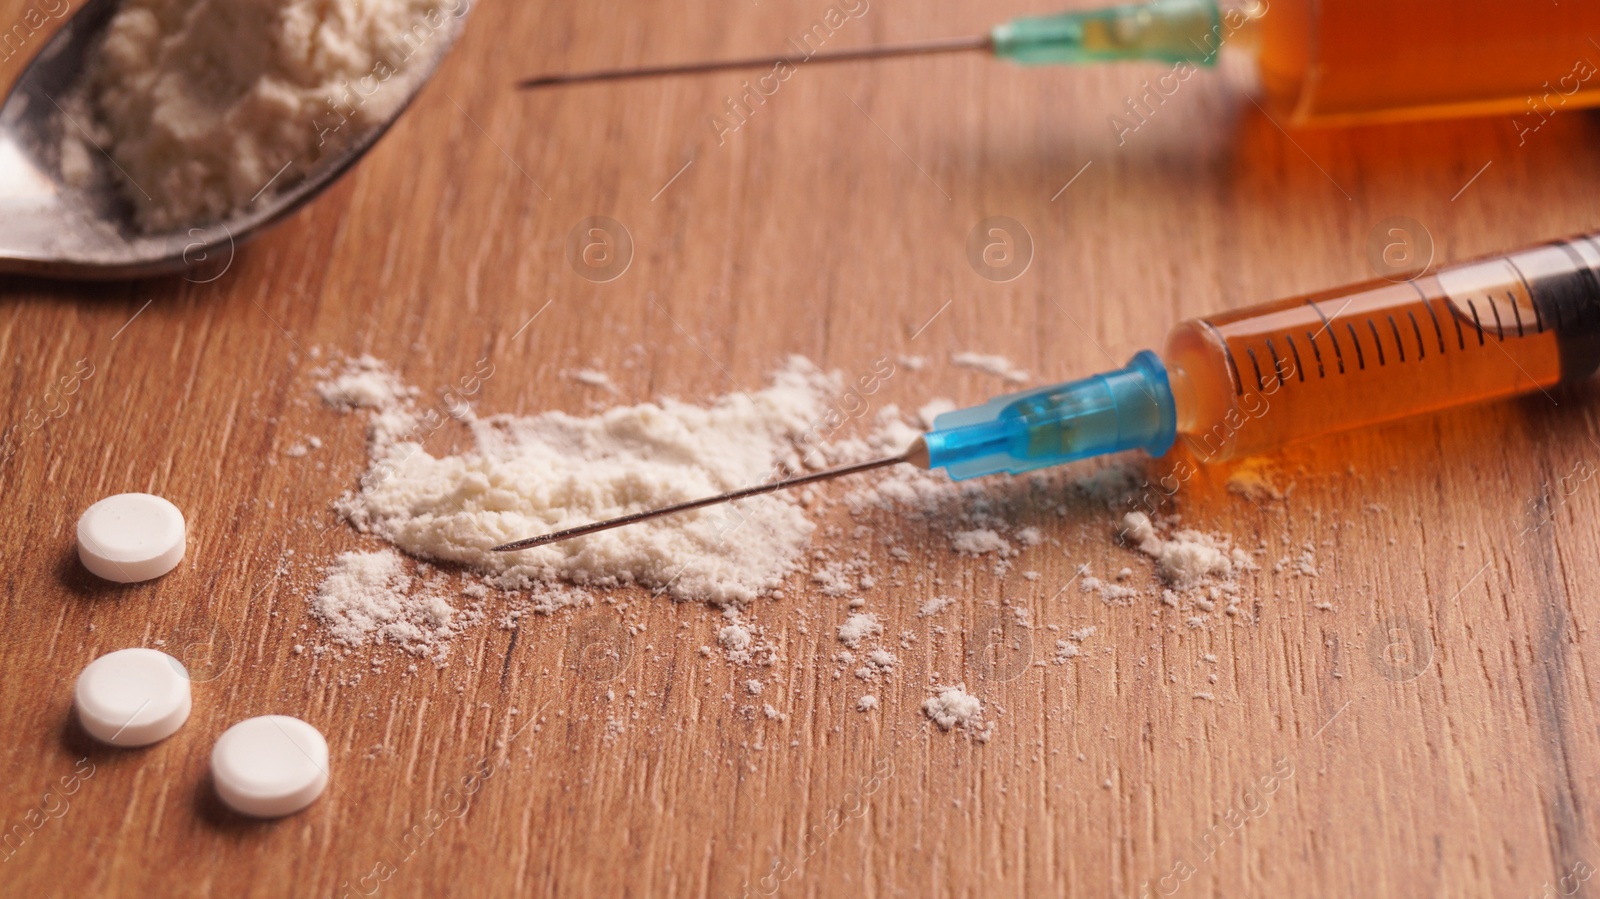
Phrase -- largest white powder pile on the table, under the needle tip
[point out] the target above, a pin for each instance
(534, 476)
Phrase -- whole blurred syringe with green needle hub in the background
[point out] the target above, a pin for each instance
(1318, 62)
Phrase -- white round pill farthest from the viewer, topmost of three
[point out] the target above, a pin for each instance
(132, 537)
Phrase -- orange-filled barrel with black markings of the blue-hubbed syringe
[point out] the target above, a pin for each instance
(1258, 378)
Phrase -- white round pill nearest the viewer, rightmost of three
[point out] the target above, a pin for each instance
(270, 767)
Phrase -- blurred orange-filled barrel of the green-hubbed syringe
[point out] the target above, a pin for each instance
(1346, 62)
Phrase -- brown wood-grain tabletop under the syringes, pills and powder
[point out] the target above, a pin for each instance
(1431, 730)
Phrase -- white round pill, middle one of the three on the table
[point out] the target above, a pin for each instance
(134, 697)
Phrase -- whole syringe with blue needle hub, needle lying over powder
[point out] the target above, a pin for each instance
(1255, 380)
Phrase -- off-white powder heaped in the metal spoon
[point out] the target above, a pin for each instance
(207, 103)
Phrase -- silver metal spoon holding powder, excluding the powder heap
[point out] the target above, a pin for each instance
(50, 228)
